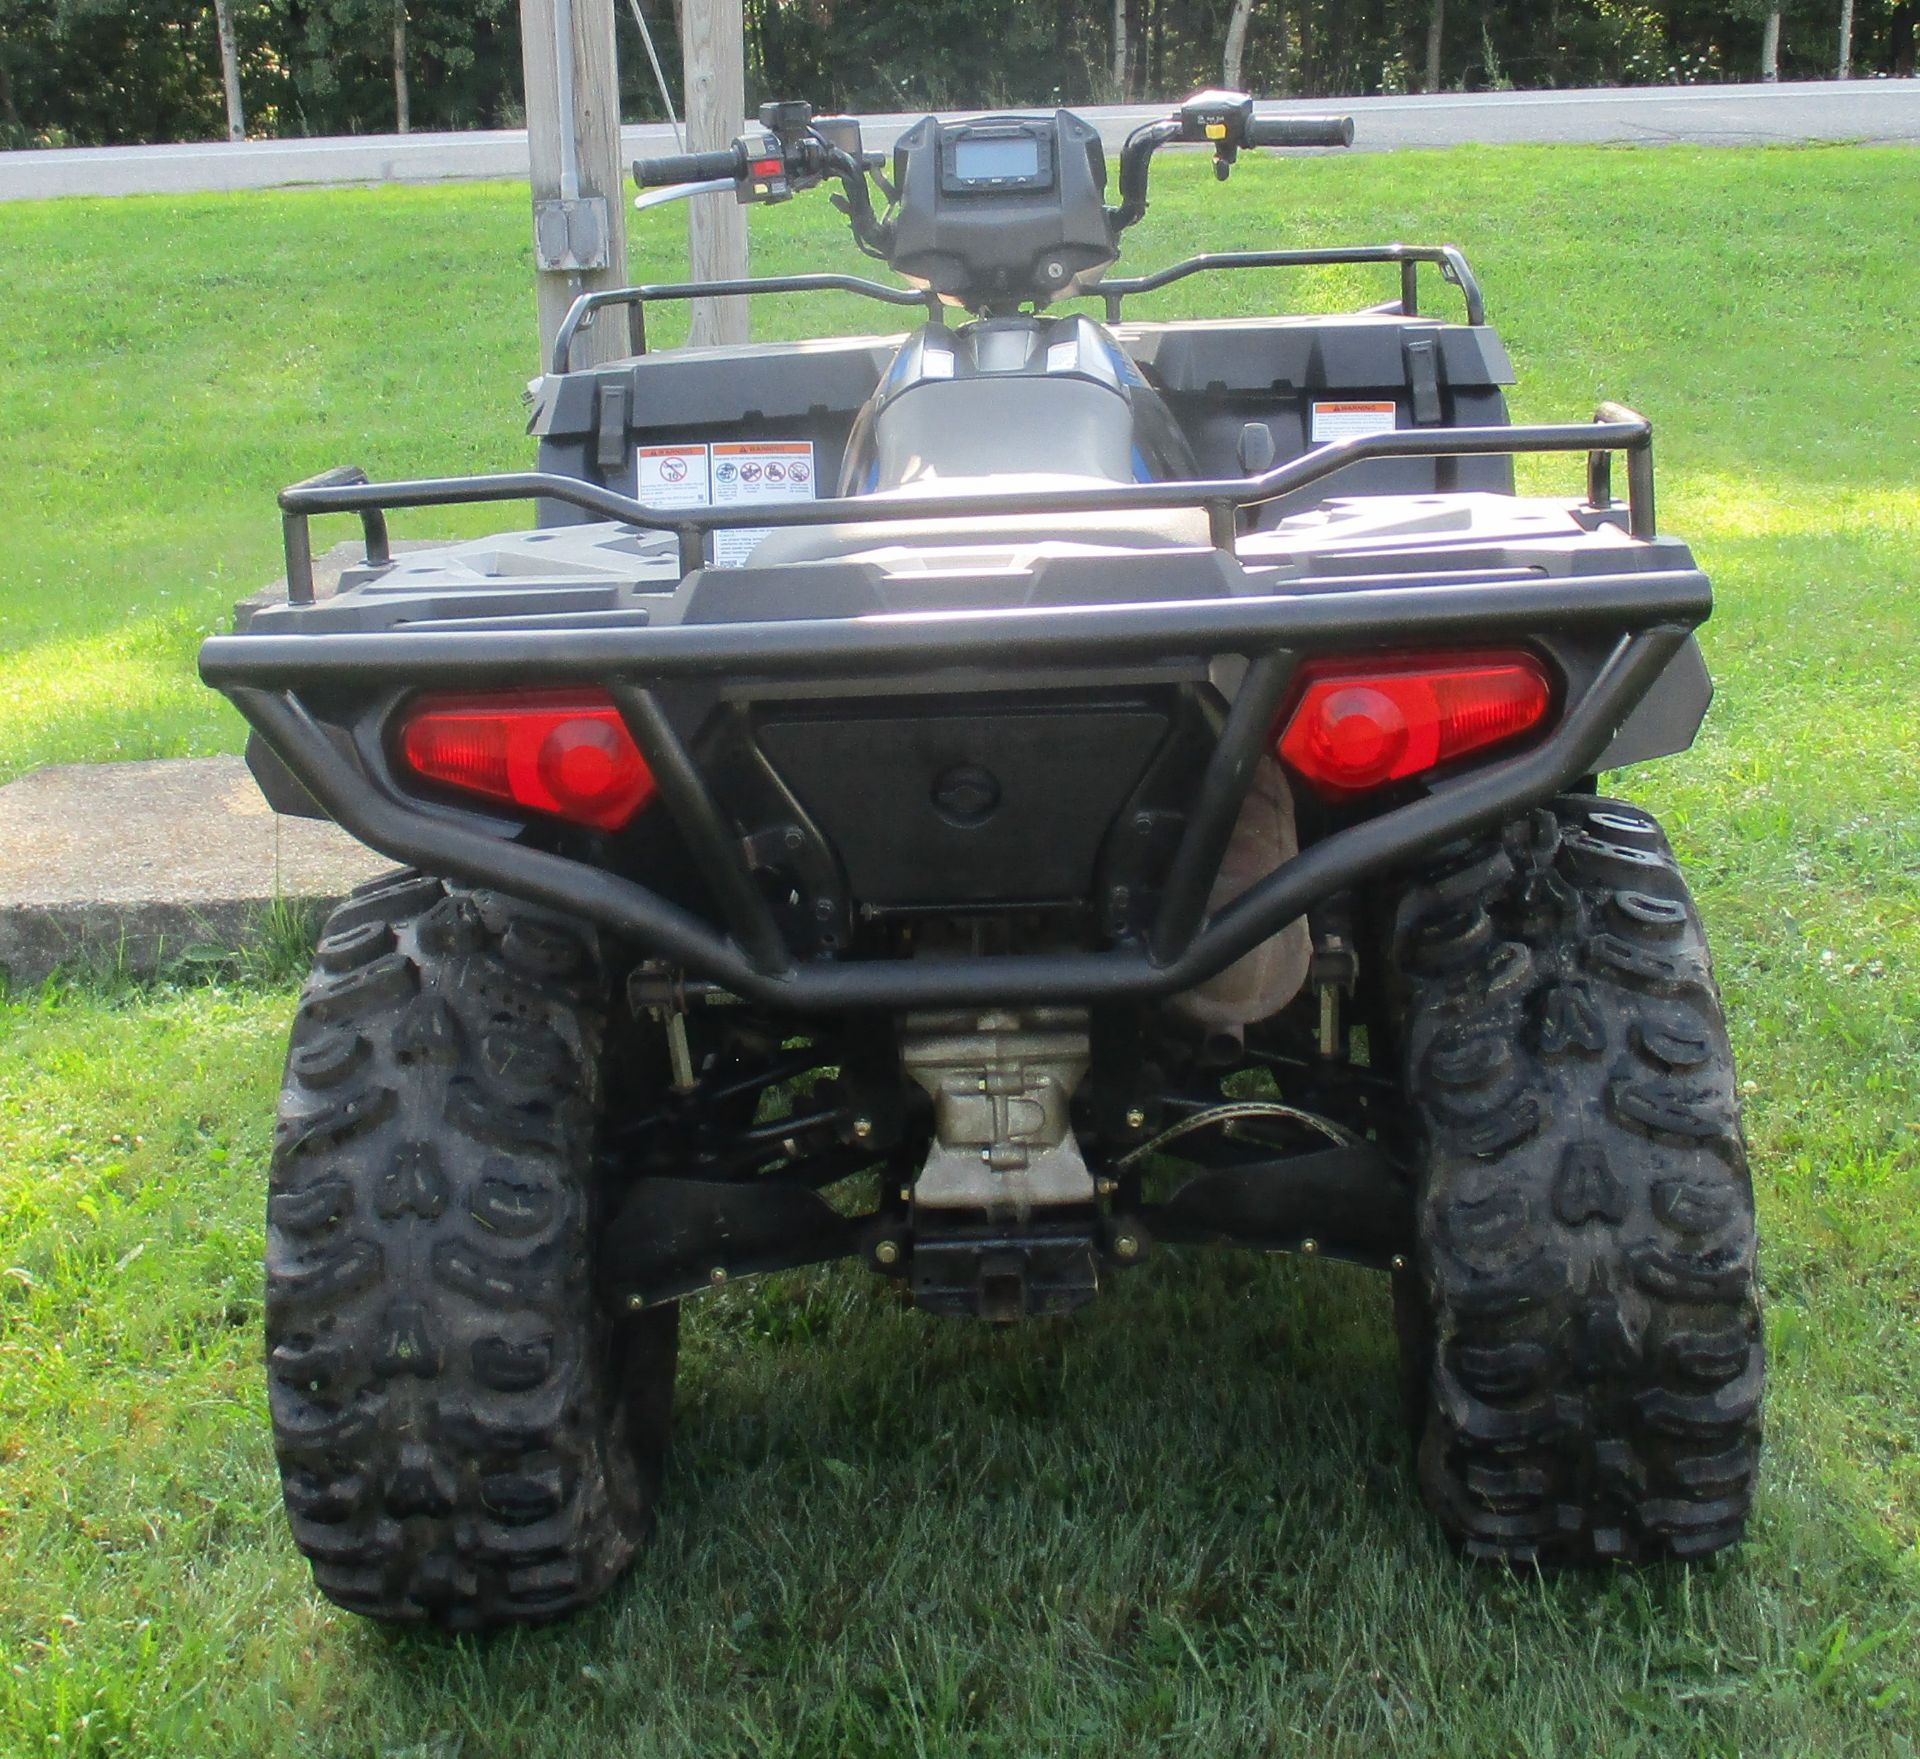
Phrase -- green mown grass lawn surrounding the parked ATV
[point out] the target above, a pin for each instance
(1184, 1522)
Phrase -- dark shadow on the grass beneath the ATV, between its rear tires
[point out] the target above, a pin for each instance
(842, 1464)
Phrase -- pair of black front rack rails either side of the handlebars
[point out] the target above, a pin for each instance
(585, 312)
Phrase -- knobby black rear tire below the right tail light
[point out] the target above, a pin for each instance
(1583, 1316)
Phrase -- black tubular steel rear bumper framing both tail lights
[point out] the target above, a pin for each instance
(1641, 617)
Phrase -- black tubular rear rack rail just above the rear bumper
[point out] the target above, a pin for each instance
(1616, 429)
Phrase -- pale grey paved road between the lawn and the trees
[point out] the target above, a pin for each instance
(1708, 116)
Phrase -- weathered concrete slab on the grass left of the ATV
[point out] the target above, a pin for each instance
(143, 865)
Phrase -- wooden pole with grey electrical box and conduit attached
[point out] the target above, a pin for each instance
(573, 147)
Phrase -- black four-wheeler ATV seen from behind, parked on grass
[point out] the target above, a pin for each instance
(997, 804)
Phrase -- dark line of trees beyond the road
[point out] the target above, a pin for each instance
(97, 72)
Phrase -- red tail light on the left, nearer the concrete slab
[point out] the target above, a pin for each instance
(562, 752)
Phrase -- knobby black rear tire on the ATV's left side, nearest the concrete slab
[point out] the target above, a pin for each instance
(464, 1435)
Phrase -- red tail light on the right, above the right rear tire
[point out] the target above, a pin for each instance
(1360, 725)
